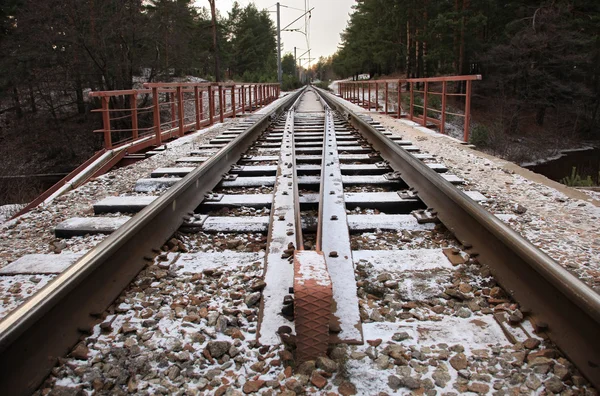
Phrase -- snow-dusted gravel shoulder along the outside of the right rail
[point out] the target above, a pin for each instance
(564, 224)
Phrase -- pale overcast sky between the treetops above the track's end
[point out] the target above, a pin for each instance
(327, 22)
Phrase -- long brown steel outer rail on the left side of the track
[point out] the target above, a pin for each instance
(51, 322)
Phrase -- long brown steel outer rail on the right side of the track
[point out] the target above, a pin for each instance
(563, 306)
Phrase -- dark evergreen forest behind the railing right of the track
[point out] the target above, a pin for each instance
(540, 62)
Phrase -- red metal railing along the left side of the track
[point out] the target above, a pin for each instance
(162, 111)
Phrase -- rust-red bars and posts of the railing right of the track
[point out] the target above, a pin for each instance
(347, 88)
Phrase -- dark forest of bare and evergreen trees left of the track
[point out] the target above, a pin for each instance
(55, 51)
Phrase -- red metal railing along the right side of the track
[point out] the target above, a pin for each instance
(422, 108)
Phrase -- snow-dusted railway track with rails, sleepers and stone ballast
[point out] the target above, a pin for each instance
(291, 232)
